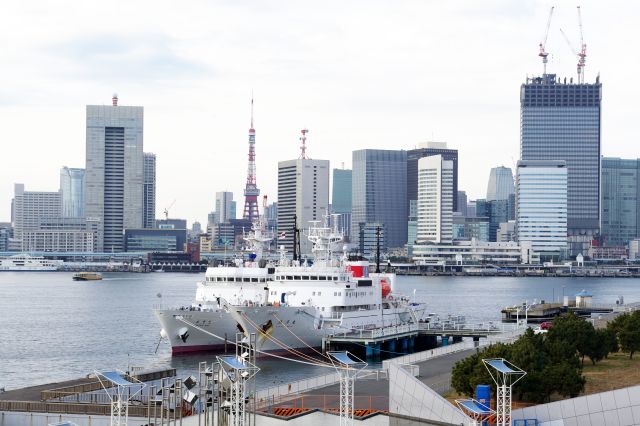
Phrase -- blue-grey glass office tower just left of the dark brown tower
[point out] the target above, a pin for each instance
(379, 193)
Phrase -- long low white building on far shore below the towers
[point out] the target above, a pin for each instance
(472, 251)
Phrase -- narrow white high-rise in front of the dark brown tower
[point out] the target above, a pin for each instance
(435, 200)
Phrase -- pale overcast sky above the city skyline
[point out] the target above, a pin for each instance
(357, 73)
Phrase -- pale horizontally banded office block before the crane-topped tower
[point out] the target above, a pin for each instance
(542, 207)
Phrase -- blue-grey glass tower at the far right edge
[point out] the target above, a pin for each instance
(620, 198)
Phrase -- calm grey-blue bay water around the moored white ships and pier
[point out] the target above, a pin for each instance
(53, 328)
